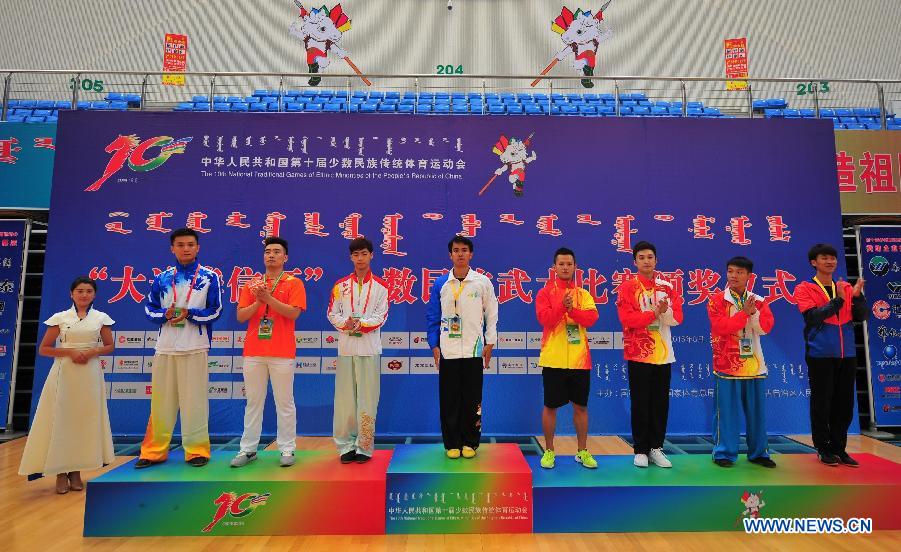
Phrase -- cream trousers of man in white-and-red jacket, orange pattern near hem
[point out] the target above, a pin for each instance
(356, 403)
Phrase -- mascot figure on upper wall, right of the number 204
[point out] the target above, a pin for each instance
(581, 33)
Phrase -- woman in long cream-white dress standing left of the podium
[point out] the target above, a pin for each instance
(70, 431)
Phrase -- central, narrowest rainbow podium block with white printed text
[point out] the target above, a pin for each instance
(430, 493)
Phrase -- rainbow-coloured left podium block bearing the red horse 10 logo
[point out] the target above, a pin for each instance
(318, 495)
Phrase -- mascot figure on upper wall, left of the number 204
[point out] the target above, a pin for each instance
(320, 30)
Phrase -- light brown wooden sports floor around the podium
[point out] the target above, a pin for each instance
(35, 518)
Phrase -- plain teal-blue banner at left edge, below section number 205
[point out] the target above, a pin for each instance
(26, 164)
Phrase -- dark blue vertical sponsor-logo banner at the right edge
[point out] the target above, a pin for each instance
(880, 265)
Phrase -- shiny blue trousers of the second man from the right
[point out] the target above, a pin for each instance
(731, 396)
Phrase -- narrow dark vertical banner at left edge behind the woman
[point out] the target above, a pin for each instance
(12, 252)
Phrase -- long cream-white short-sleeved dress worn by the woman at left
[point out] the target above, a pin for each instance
(71, 431)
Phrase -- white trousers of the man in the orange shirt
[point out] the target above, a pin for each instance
(257, 372)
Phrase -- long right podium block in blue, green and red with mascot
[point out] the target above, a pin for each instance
(698, 495)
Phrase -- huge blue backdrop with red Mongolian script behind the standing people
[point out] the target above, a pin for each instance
(702, 191)
